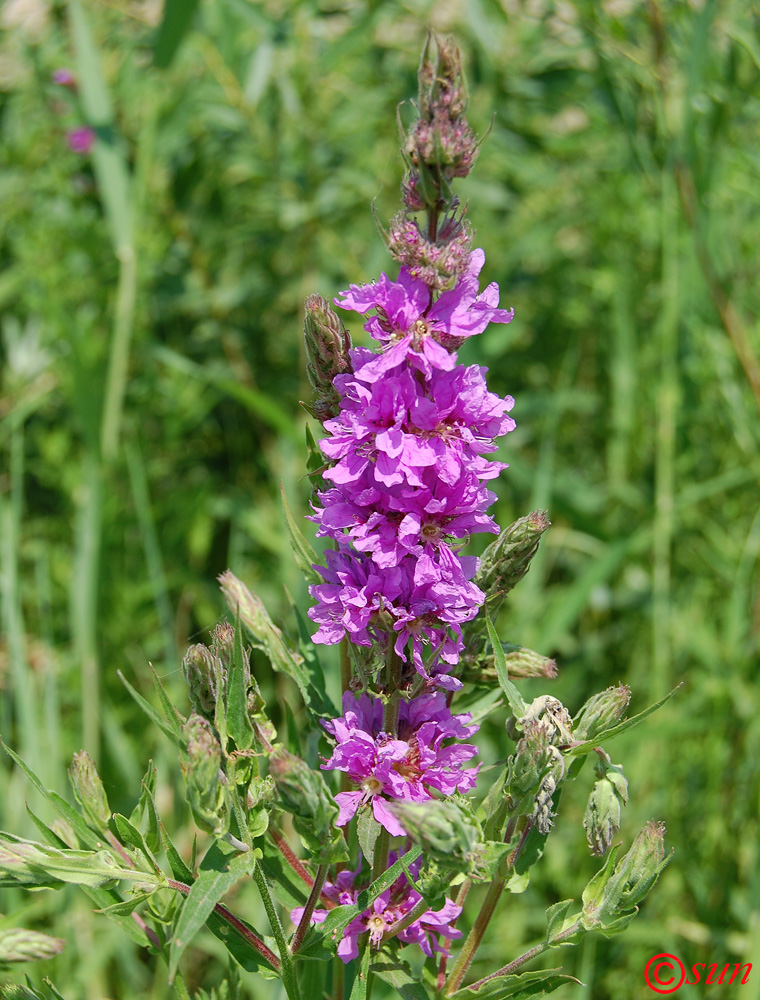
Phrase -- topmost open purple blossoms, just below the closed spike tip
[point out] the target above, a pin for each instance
(411, 325)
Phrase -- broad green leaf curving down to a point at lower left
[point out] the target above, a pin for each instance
(220, 869)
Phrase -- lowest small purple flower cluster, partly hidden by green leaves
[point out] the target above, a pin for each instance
(389, 907)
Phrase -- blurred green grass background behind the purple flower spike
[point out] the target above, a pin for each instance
(151, 307)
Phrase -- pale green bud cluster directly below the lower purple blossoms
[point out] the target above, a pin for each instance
(443, 829)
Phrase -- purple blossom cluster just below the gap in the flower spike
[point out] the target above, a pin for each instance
(407, 767)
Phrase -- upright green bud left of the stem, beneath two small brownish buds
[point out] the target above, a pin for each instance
(201, 770)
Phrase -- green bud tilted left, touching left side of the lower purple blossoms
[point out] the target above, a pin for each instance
(303, 792)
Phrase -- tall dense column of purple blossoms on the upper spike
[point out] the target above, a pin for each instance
(409, 470)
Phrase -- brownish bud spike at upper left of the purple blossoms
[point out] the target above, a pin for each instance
(327, 346)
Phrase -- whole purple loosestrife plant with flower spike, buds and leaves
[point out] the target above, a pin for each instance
(395, 818)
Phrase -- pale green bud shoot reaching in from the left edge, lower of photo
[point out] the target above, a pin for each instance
(31, 865)
